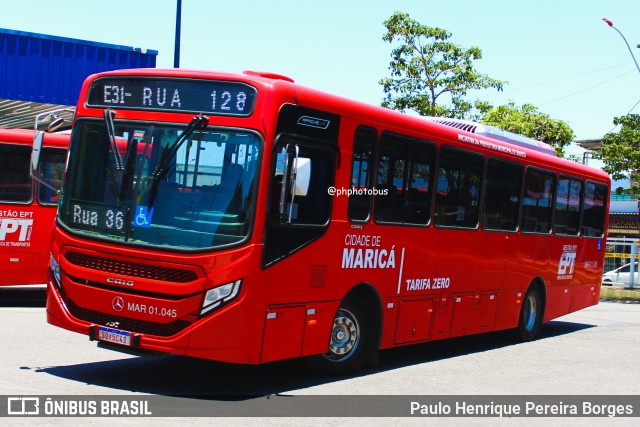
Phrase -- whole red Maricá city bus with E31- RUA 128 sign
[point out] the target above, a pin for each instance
(247, 219)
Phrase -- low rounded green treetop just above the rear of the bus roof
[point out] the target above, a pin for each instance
(529, 121)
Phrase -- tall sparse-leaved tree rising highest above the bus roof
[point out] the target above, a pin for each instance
(430, 74)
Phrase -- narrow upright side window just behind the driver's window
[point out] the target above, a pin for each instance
(362, 173)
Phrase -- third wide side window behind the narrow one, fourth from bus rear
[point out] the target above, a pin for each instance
(502, 195)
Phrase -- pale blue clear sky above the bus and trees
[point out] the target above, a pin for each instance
(557, 55)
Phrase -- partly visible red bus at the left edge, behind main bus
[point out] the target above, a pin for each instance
(27, 208)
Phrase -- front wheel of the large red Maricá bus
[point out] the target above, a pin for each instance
(350, 343)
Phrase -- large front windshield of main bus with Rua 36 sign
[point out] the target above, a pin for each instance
(150, 184)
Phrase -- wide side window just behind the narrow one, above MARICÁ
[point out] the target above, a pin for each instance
(405, 171)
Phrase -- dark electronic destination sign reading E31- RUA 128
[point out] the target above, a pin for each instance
(175, 95)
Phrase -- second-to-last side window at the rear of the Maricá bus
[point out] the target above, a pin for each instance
(567, 217)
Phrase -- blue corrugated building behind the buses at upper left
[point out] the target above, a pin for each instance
(41, 72)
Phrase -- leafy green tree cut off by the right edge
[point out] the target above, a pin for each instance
(620, 151)
